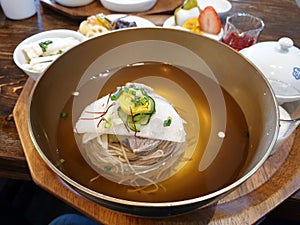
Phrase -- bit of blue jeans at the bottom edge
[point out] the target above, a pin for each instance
(72, 219)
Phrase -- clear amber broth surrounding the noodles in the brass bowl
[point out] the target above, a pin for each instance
(188, 98)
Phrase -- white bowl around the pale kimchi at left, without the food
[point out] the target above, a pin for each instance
(20, 58)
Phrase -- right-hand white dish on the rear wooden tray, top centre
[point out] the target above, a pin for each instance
(128, 6)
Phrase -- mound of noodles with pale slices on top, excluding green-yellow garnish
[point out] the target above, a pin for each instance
(140, 159)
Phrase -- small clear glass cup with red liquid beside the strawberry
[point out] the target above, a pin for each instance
(242, 30)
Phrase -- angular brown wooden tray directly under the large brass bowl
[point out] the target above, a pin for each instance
(274, 182)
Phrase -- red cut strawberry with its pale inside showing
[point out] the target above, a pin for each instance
(209, 21)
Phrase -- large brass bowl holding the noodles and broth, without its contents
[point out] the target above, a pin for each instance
(235, 74)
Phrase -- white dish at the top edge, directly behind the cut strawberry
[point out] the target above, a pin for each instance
(222, 7)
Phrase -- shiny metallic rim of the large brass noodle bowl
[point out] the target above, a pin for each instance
(115, 200)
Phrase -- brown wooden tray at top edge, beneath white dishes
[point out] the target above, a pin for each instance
(162, 6)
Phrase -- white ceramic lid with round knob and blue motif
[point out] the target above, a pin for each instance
(279, 61)
